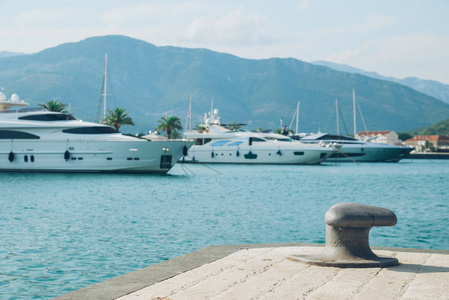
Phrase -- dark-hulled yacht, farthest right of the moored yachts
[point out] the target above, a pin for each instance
(357, 150)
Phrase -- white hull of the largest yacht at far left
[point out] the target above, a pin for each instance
(117, 156)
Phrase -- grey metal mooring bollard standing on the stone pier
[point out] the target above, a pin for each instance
(347, 237)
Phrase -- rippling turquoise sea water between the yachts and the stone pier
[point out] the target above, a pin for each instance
(62, 232)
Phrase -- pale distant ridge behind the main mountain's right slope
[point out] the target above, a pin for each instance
(429, 87)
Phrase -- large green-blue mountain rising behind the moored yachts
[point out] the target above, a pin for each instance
(151, 82)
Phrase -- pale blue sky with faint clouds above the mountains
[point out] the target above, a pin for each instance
(398, 38)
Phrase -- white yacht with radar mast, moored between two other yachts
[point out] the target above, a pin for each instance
(218, 144)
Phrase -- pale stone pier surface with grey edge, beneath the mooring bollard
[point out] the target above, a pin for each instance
(271, 271)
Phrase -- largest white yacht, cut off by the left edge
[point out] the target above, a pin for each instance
(34, 139)
